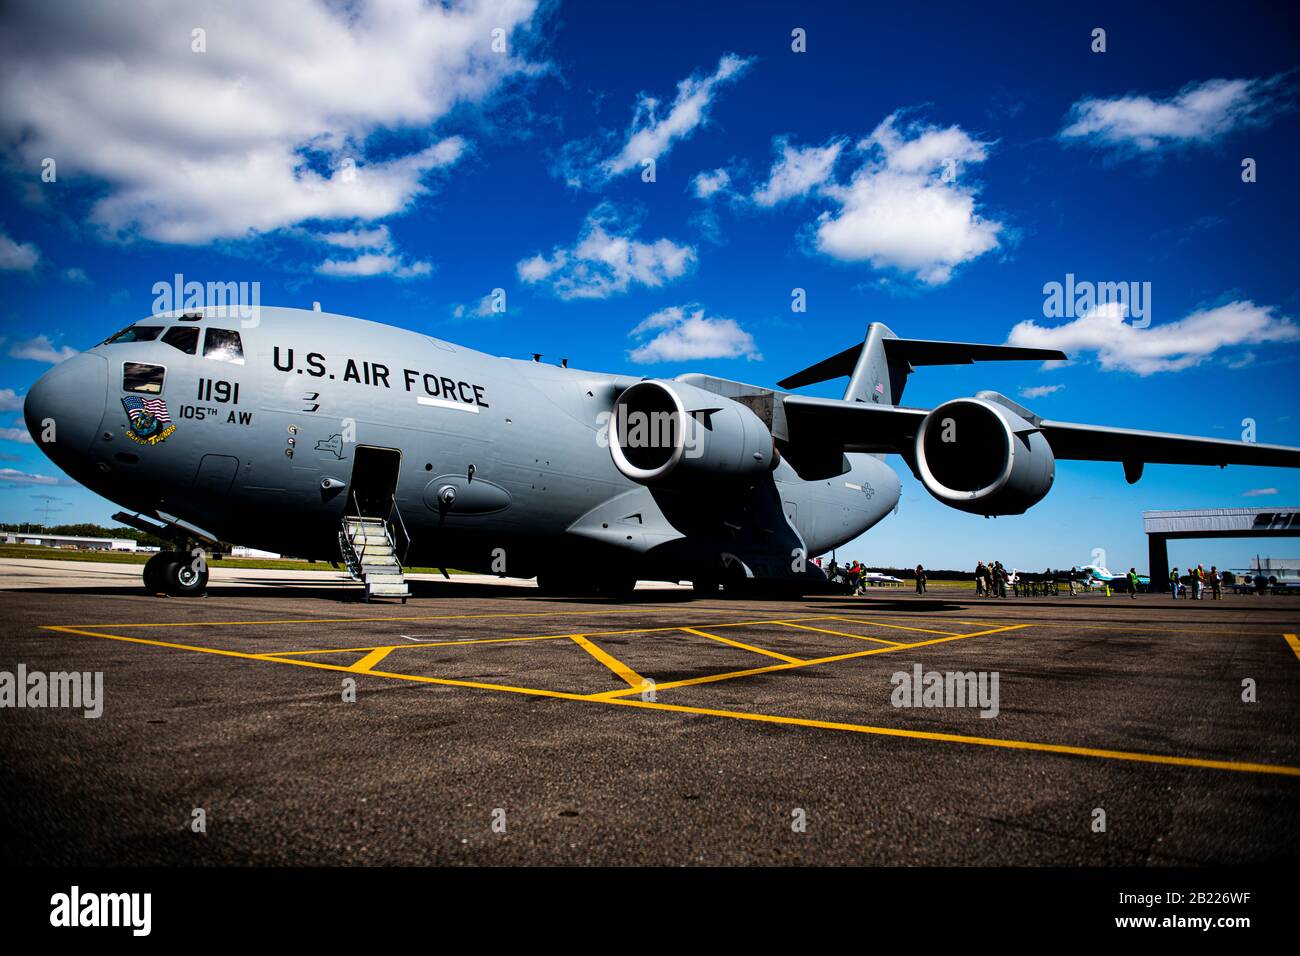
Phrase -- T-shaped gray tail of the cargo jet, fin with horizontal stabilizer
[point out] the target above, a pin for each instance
(878, 370)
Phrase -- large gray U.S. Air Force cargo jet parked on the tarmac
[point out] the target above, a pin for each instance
(343, 440)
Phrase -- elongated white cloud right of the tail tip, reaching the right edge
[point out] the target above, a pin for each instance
(1169, 348)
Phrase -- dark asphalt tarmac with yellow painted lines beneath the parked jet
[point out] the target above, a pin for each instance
(495, 726)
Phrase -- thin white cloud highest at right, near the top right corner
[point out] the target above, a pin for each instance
(1198, 114)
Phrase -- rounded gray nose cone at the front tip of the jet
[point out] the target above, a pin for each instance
(63, 410)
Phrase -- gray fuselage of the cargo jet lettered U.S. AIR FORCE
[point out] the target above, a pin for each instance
(259, 449)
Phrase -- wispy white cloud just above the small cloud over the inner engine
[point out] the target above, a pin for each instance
(608, 261)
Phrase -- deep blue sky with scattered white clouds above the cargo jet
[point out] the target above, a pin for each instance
(929, 167)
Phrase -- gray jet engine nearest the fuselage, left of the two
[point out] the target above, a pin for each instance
(669, 430)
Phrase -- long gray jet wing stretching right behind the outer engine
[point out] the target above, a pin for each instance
(883, 429)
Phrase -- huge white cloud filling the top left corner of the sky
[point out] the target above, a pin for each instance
(266, 129)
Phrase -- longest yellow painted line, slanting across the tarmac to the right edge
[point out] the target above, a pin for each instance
(1243, 767)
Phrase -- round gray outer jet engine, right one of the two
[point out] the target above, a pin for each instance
(981, 457)
